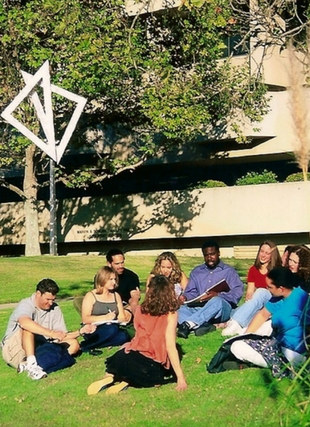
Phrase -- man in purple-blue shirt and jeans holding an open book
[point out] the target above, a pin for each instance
(214, 307)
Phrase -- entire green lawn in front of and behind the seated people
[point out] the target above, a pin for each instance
(236, 398)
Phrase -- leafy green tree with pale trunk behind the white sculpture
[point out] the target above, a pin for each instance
(159, 80)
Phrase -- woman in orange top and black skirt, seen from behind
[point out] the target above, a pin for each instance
(151, 358)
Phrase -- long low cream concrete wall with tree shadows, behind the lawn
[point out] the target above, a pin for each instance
(231, 214)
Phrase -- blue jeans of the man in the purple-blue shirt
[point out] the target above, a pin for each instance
(215, 309)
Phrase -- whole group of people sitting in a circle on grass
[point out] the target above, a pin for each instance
(273, 318)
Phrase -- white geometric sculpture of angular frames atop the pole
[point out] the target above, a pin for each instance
(45, 113)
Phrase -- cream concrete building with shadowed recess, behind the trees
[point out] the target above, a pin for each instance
(155, 210)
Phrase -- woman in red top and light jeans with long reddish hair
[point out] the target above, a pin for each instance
(257, 295)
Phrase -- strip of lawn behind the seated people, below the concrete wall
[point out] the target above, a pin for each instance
(74, 275)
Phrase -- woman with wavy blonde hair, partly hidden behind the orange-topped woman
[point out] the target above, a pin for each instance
(168, 265)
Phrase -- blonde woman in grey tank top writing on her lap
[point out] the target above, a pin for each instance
(103, 307)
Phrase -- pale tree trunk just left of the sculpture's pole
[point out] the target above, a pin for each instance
(30, 204)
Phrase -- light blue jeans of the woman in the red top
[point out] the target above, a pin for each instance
(244, 314)
